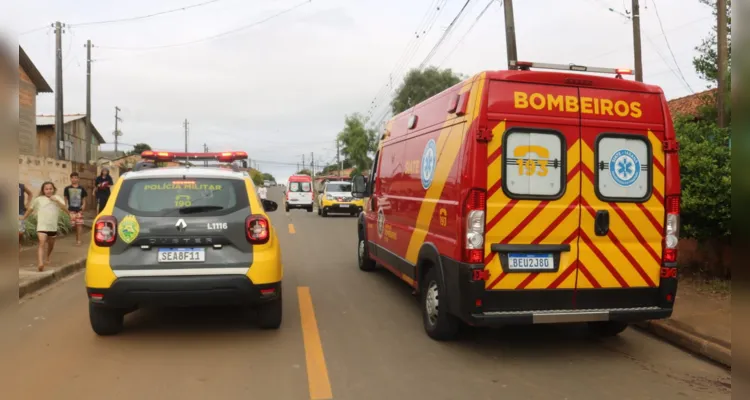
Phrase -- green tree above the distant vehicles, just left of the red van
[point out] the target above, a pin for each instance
(357, 141)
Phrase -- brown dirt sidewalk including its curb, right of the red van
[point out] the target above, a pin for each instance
(701, 321)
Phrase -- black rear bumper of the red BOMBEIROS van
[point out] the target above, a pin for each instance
(469, 300)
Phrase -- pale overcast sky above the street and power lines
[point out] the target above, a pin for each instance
(282, 88)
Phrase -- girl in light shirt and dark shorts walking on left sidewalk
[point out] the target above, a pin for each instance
(47, 207)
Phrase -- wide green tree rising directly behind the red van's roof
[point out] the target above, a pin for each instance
(420, 85)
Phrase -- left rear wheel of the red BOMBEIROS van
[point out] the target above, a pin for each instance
(438, 323)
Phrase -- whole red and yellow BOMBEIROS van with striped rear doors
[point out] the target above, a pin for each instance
(529, 197)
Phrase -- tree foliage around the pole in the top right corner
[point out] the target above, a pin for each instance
(706, 62)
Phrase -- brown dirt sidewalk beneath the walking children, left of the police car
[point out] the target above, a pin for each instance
(67, 258)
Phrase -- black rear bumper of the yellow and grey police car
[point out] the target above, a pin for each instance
(183, 291)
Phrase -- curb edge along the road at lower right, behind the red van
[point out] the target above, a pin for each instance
(689, 341)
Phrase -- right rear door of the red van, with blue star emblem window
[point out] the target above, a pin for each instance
(622, 198)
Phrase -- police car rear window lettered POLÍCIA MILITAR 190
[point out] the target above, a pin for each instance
(169, 196)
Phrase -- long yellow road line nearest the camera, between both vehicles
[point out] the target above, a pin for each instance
(317, 372)
